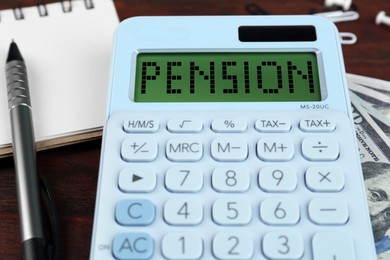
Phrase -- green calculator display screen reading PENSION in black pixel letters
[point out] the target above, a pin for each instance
(227, 77)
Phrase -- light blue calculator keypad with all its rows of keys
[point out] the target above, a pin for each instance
(242, 187)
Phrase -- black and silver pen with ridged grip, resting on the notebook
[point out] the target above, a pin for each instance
(34, 244)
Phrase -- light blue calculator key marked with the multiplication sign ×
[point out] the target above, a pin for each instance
(324, 179)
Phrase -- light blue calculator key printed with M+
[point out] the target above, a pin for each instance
(275, 149)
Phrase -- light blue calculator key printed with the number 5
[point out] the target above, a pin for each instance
(231, 212)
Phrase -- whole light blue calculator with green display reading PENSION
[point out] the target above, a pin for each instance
(229, 137)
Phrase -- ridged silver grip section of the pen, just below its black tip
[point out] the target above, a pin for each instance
(17, 84)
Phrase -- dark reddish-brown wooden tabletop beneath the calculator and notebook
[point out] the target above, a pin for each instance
(72, 171)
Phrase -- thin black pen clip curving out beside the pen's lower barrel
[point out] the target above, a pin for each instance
(53, 242)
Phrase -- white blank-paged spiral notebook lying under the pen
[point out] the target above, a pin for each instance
(67, 50)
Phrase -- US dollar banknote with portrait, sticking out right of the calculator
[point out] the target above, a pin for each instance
(374, 150)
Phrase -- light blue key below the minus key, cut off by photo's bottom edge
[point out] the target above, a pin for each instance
(332, 245)
